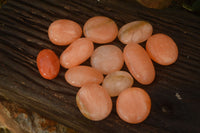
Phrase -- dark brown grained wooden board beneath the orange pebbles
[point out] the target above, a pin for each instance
(175, 93)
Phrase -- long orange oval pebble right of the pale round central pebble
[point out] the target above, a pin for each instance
(139, 63)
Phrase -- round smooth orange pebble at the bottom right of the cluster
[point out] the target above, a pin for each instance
(133, 105)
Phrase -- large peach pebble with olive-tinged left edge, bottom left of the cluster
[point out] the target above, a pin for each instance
(94, 102)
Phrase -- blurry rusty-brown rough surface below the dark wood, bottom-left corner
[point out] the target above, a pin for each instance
(29, 122)
